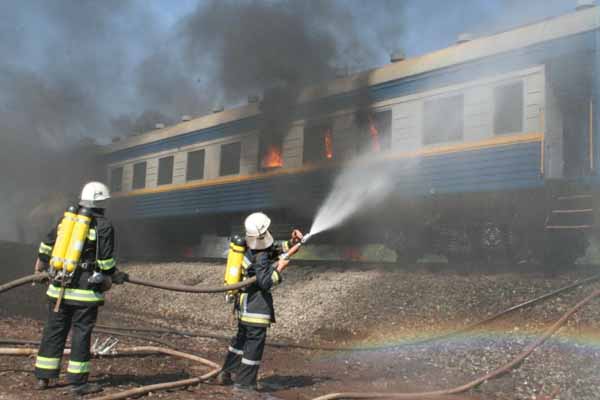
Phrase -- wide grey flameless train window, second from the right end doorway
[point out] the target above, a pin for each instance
(443, 120)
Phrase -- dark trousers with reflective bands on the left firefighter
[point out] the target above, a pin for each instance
(83, 319)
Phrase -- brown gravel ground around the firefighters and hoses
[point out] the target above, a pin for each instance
(374, 306)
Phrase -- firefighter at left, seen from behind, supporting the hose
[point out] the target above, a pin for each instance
(83, 294)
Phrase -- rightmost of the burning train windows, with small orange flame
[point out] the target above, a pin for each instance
(375, 131)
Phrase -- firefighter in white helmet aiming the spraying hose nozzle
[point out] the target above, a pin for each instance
(254, 304)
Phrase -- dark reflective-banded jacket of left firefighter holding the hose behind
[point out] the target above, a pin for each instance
(97, 254)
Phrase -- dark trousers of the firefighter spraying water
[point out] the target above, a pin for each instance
(245, 352)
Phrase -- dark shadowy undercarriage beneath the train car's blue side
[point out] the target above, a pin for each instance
(547, 226)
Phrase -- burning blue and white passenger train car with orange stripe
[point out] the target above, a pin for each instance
(493, 138)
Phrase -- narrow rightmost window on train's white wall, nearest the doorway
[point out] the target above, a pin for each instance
(508, 109)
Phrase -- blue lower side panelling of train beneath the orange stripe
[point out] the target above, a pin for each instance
(493, 169)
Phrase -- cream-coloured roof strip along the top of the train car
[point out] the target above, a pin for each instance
(574, 23)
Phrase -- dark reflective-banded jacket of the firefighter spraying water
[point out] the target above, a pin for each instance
(255, 304)
